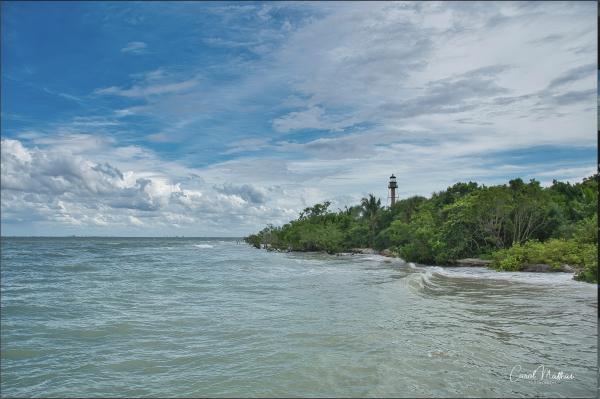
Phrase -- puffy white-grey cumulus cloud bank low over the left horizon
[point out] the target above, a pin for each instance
(57, 185)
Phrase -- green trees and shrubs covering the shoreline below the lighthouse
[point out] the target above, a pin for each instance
(513, 225)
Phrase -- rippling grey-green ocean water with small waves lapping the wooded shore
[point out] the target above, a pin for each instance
(212, 317)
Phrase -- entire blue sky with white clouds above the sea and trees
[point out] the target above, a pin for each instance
(214, 119)
